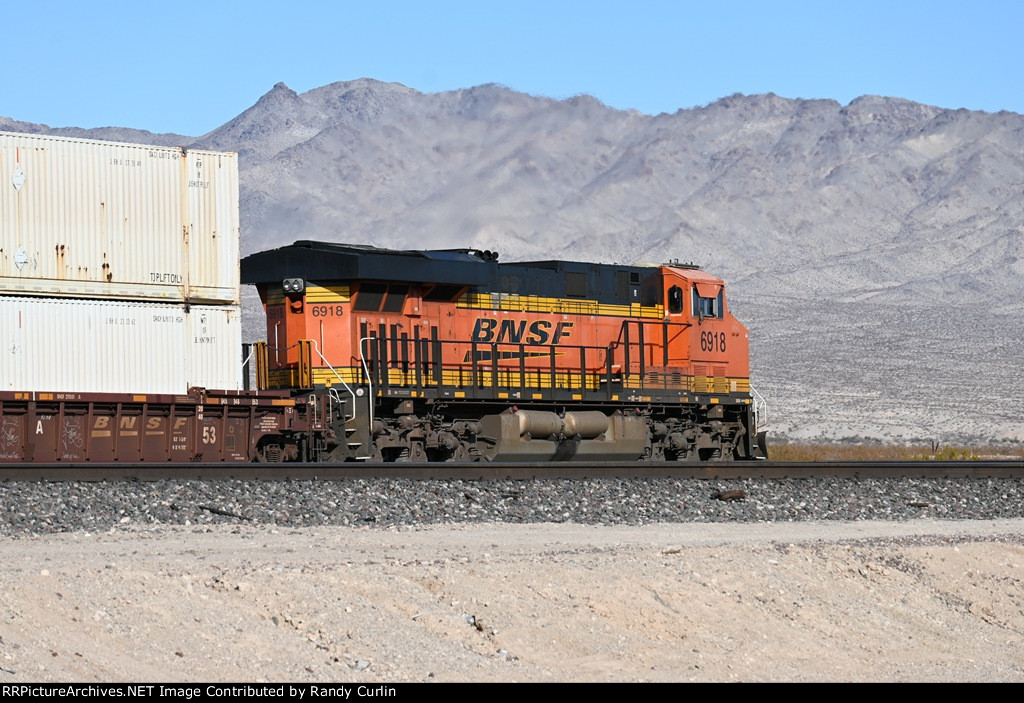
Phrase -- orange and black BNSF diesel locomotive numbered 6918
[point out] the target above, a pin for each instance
(450, 356)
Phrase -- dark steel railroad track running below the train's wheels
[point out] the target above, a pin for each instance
(484, 471)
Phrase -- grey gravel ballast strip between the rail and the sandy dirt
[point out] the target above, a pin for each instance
(30, 508)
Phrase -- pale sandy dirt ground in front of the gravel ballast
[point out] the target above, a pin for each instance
(854, 601)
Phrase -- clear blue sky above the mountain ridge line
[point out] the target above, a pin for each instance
(189, 68)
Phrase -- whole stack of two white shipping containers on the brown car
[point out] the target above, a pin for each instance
(119, 268)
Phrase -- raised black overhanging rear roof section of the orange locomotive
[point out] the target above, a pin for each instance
(327, 261)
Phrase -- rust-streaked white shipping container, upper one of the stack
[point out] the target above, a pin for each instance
(99, 219)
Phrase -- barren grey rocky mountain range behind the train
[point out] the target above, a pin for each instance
(876, 250)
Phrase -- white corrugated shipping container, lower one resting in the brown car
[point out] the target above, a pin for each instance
(79, 346)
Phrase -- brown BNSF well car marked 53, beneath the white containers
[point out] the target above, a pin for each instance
(202, 426)
